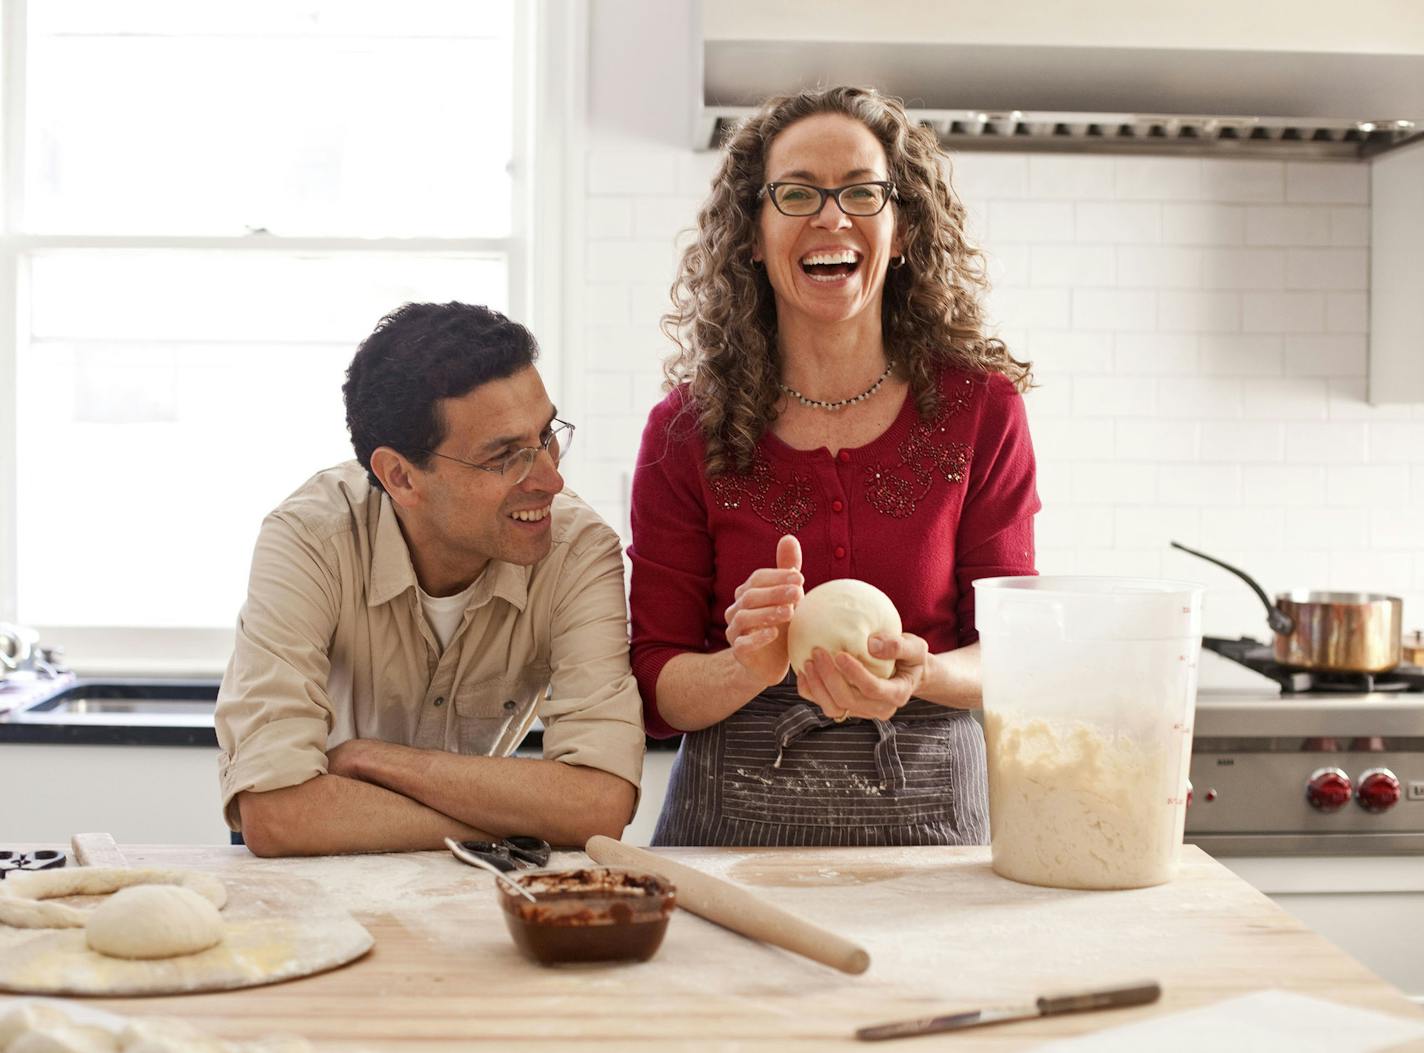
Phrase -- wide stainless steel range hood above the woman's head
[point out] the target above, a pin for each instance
(1096, 78)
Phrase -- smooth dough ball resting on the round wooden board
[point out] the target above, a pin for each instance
(155, 921)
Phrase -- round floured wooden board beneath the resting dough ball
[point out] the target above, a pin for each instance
(277, 930)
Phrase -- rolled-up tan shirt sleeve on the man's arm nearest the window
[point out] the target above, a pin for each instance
(274, 713)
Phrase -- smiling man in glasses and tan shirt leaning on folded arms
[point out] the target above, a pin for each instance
(408, 613)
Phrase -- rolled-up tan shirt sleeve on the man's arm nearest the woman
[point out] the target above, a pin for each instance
(593, 716)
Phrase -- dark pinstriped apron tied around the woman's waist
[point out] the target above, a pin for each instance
(778, 772)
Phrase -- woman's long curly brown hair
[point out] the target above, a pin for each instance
(724, 317)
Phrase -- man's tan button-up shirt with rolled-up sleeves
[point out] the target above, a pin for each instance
(334, 645)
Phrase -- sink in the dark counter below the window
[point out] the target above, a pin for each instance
(125, 703)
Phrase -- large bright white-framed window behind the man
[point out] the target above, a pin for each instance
(207, 209)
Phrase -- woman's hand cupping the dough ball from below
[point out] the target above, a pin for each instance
(844, 688)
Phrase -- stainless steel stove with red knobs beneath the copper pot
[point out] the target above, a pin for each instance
(1291, 763)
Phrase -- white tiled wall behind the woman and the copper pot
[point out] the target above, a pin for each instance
(1198, 328)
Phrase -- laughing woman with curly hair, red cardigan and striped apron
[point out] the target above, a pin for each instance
(835, 411)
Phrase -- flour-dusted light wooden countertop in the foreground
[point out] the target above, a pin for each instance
(943, 933)
